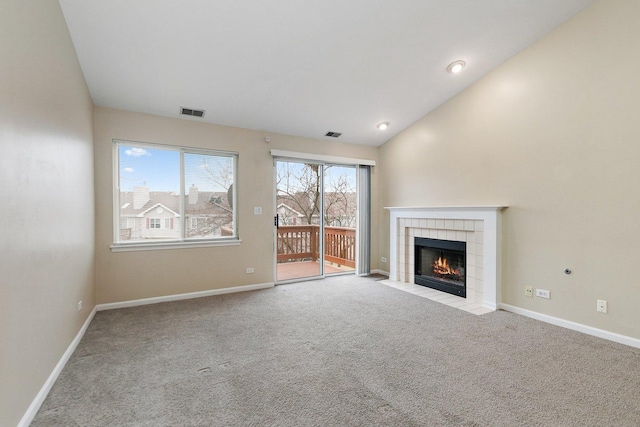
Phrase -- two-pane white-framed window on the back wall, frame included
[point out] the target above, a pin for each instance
(170, 195)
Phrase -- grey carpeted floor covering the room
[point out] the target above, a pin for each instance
(344, 351)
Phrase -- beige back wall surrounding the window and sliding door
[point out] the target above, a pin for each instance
(127, 276)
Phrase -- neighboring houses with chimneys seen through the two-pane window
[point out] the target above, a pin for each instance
(155, 215)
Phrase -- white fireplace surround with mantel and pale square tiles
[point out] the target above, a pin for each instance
(478, 226)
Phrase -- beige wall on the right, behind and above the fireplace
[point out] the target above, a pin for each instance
(552, 133)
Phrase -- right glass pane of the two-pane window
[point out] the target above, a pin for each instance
(208, 195)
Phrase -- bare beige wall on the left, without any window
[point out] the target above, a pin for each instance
(47, 209)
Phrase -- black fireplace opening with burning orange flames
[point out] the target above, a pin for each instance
(440, 264)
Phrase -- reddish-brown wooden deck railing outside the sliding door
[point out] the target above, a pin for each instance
(301, 242)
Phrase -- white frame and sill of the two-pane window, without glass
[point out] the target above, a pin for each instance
(182, 241)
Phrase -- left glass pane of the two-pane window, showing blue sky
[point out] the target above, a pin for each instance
(149, 181)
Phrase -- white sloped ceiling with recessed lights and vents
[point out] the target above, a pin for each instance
(299, 67)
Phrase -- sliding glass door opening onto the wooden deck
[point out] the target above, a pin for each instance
(316, 219)
